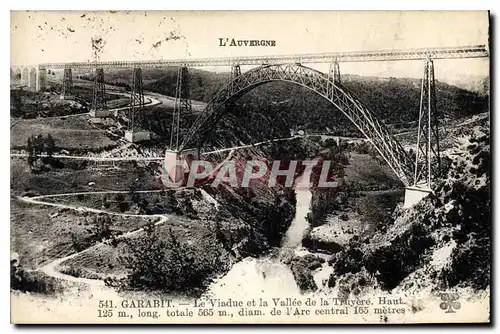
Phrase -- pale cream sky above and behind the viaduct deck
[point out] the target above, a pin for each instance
(59, 36)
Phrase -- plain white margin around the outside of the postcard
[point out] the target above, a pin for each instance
(205, 5)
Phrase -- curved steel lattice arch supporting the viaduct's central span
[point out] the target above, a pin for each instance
(372, 128)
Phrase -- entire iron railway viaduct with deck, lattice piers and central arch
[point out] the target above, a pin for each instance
(416, 173)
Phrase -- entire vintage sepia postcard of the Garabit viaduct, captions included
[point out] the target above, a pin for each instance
(173, 167)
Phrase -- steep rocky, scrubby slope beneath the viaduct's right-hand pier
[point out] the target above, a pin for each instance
(442, 242)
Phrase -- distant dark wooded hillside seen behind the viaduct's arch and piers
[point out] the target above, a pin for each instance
(272, 110)
